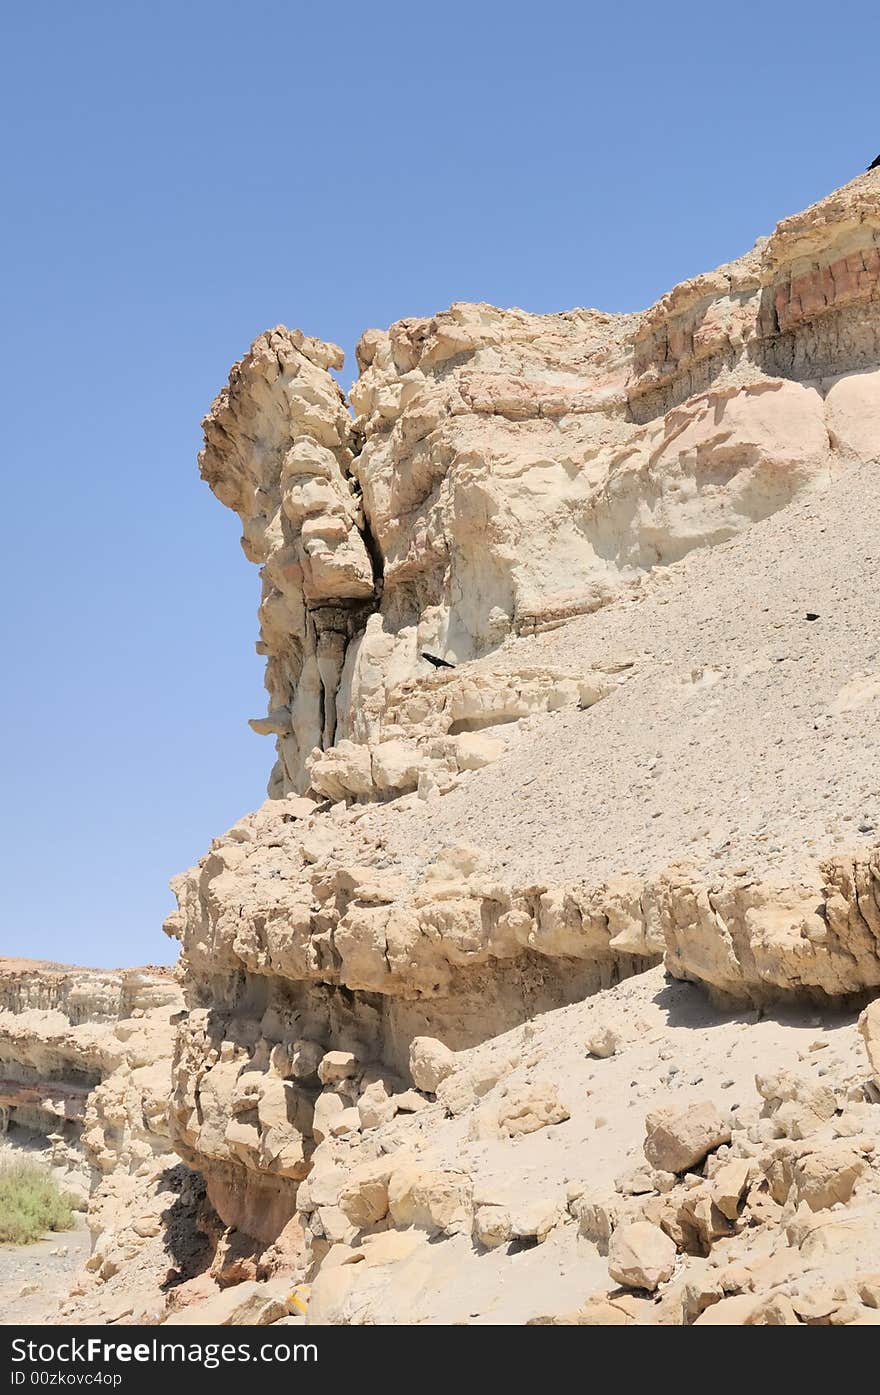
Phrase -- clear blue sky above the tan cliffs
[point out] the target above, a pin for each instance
(181, 176)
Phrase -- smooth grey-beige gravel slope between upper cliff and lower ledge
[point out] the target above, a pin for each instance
(744, 733)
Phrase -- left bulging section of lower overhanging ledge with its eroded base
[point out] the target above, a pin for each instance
(348, 959)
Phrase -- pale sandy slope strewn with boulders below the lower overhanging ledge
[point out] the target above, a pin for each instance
(656, 1182)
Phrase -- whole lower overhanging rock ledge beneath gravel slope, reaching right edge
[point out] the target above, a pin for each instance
(351, 958)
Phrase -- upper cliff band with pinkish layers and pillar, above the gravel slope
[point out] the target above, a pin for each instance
(504, 472)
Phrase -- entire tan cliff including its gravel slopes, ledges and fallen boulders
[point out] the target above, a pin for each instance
(532, 991)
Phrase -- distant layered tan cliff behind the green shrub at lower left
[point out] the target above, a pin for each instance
(86, 1062)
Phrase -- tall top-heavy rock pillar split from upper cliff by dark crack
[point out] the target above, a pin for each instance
(278, 450)
